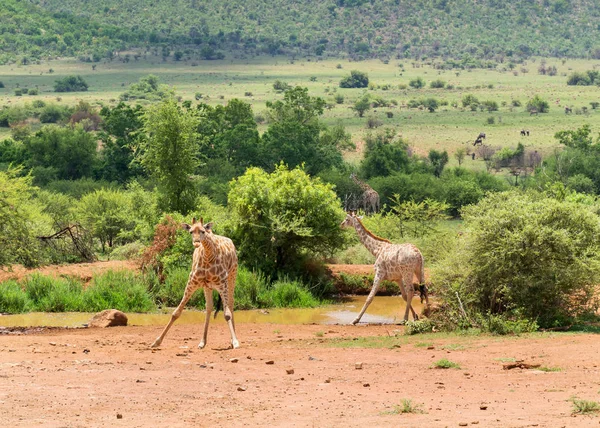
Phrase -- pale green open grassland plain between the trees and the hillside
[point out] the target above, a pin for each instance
(450, 127)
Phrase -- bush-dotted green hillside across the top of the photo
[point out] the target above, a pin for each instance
(468, 30)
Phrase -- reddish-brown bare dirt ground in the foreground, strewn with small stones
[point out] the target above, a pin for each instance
(292, 375)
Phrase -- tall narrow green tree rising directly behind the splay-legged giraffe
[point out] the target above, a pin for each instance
(169, 153)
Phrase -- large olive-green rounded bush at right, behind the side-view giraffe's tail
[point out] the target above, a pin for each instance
(522, 255)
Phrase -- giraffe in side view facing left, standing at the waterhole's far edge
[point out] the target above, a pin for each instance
(394, 262)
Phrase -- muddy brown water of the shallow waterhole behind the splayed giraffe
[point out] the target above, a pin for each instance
(384, 309)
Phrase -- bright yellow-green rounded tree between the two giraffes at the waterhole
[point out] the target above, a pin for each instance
(282, 217)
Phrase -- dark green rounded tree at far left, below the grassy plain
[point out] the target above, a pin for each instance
(70, 153)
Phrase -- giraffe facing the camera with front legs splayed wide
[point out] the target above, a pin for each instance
(214, 267)
